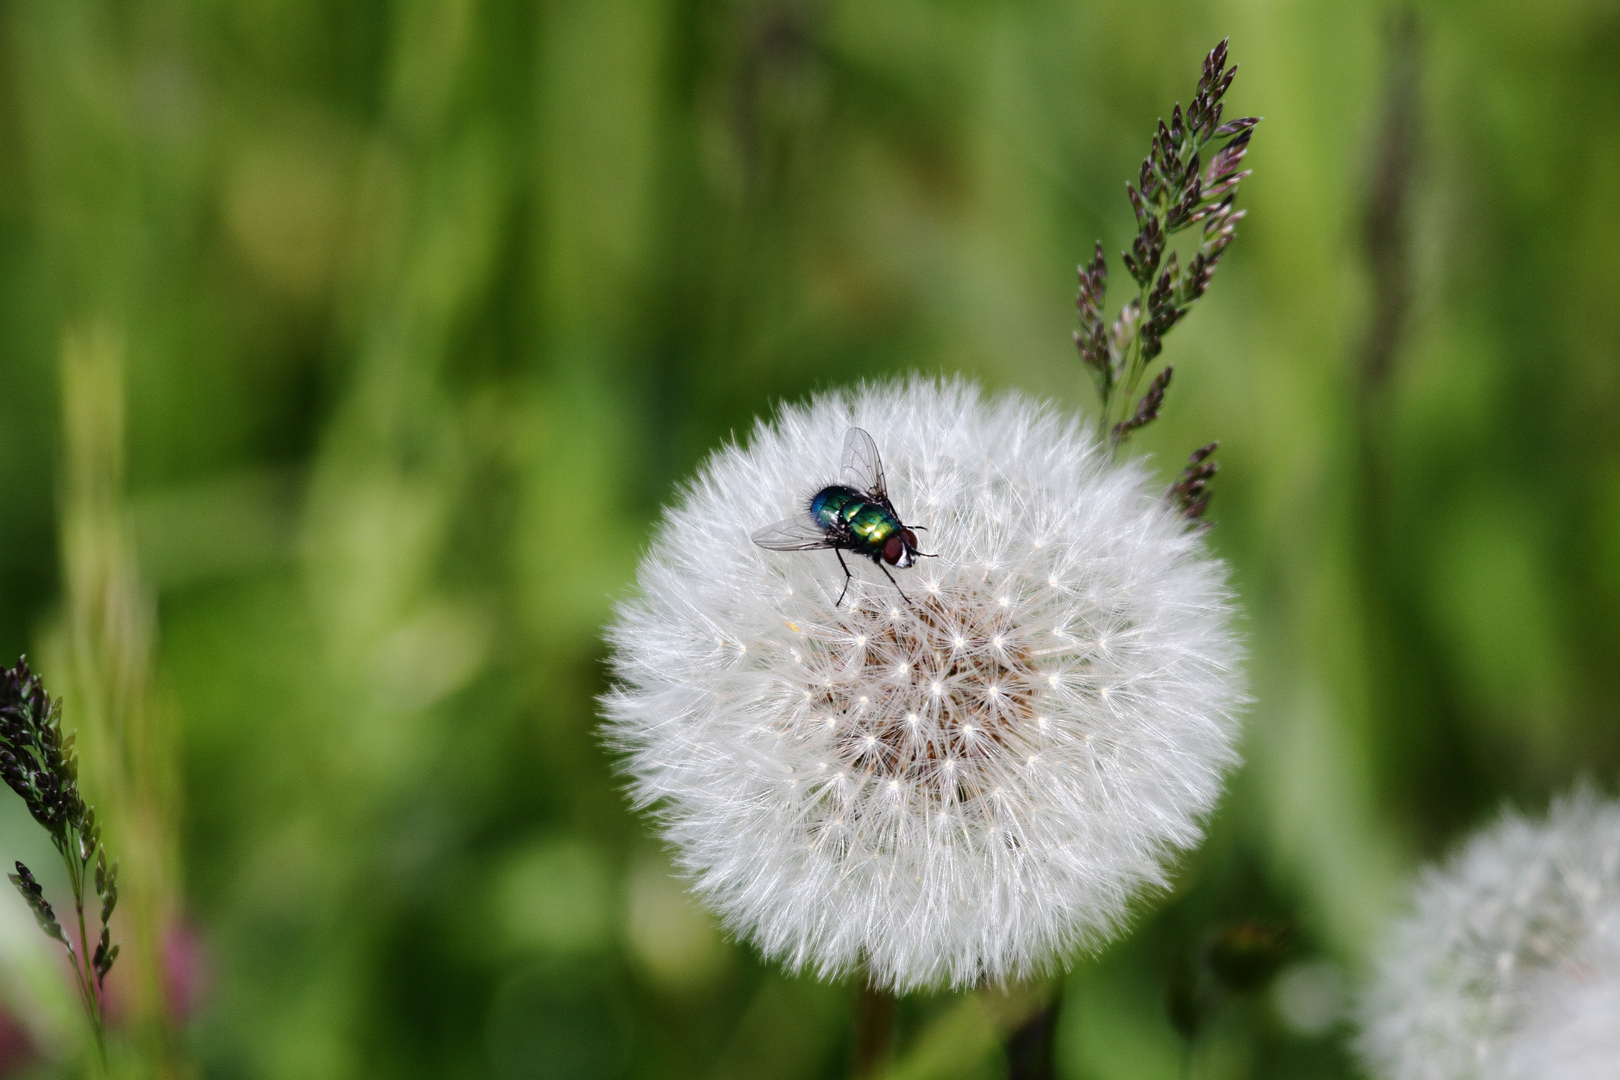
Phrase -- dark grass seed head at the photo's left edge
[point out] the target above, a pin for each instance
(43, 768)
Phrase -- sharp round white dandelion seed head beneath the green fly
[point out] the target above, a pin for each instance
(934, 710)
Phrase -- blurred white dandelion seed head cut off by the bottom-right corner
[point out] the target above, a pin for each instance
(1509, 964)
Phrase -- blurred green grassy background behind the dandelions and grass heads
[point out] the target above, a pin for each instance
(391, 326)
